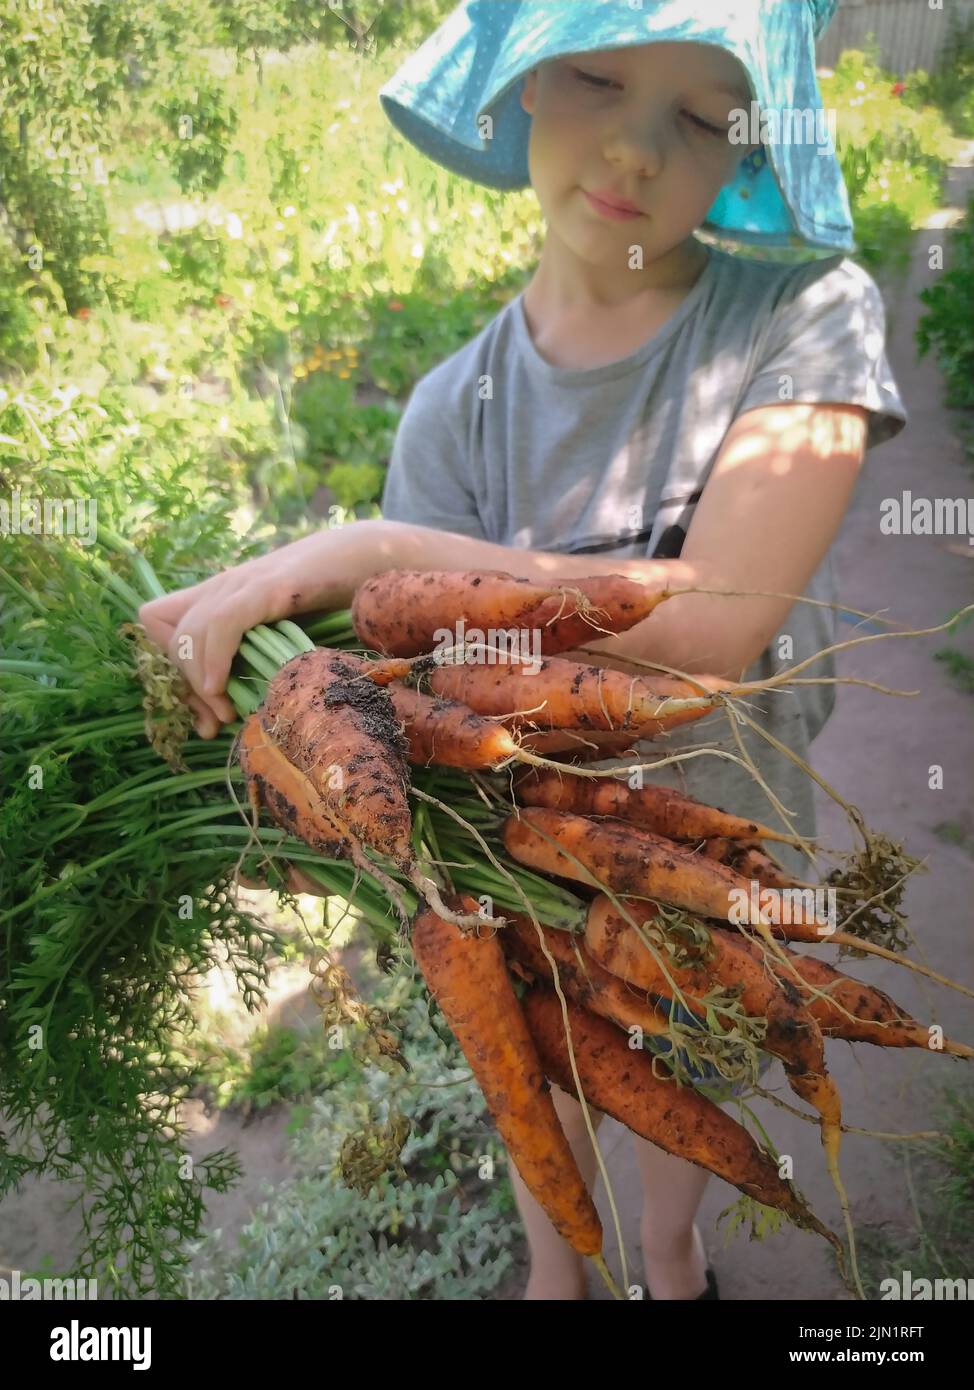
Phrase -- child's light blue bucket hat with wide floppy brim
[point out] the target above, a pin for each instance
(786, 193)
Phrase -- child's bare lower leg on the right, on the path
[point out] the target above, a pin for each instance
(675, 1259)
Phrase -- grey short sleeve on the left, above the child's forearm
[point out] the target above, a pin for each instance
(427, 482)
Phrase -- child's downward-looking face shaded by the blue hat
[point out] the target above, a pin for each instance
(647, 124)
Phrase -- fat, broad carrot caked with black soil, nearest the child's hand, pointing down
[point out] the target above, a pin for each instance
(342, 735)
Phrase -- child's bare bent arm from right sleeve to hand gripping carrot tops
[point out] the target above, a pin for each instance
(768, 516)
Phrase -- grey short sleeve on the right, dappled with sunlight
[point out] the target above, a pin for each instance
(827, 343)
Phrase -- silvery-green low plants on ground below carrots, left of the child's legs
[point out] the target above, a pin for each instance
(445, 1232)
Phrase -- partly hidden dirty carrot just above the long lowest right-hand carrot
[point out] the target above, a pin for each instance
(580, 974)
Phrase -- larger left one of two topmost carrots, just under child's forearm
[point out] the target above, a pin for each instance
(402, 612)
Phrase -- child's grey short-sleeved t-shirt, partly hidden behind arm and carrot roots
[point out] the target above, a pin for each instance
(501, 445)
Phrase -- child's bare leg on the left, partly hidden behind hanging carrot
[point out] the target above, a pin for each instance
(556, 1270)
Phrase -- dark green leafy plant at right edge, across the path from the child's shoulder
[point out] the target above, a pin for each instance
(948, 322)
